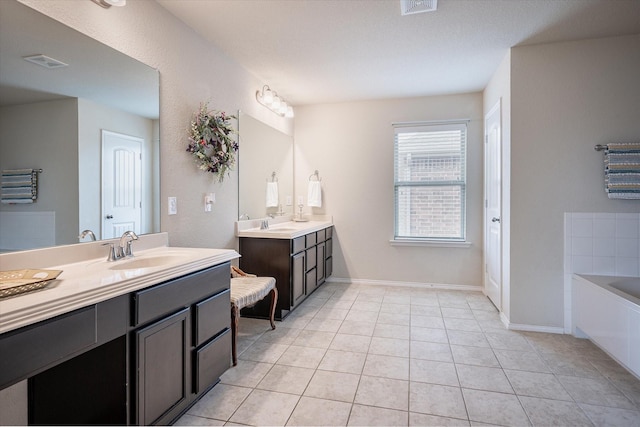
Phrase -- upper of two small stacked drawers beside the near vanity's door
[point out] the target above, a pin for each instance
(212, 316)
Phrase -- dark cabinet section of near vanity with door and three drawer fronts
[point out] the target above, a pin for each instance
(182, 343)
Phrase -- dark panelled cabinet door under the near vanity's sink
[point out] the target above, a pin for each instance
(163, 369)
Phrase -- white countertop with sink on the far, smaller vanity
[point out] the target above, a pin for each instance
(283, 227)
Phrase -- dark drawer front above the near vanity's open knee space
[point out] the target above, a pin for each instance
(31, 349)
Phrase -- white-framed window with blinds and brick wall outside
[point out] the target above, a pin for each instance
(429, 181)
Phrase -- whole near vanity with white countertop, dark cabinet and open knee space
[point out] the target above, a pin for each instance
(136, 341)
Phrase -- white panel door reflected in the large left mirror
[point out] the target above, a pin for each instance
(121, 184)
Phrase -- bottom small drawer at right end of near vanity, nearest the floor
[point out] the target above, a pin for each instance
(212, 360)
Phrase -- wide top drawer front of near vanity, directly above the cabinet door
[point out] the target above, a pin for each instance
(153, 302)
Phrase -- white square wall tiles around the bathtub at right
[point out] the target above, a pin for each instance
(603, 244)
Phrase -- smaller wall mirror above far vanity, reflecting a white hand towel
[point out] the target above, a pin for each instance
(263, 152)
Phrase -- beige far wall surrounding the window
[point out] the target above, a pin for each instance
(351, 145)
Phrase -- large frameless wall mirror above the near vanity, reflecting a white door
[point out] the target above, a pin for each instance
(70, 121)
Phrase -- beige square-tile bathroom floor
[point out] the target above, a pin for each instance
(355, 354)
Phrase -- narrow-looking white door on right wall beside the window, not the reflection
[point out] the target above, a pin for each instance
(493, 188)
